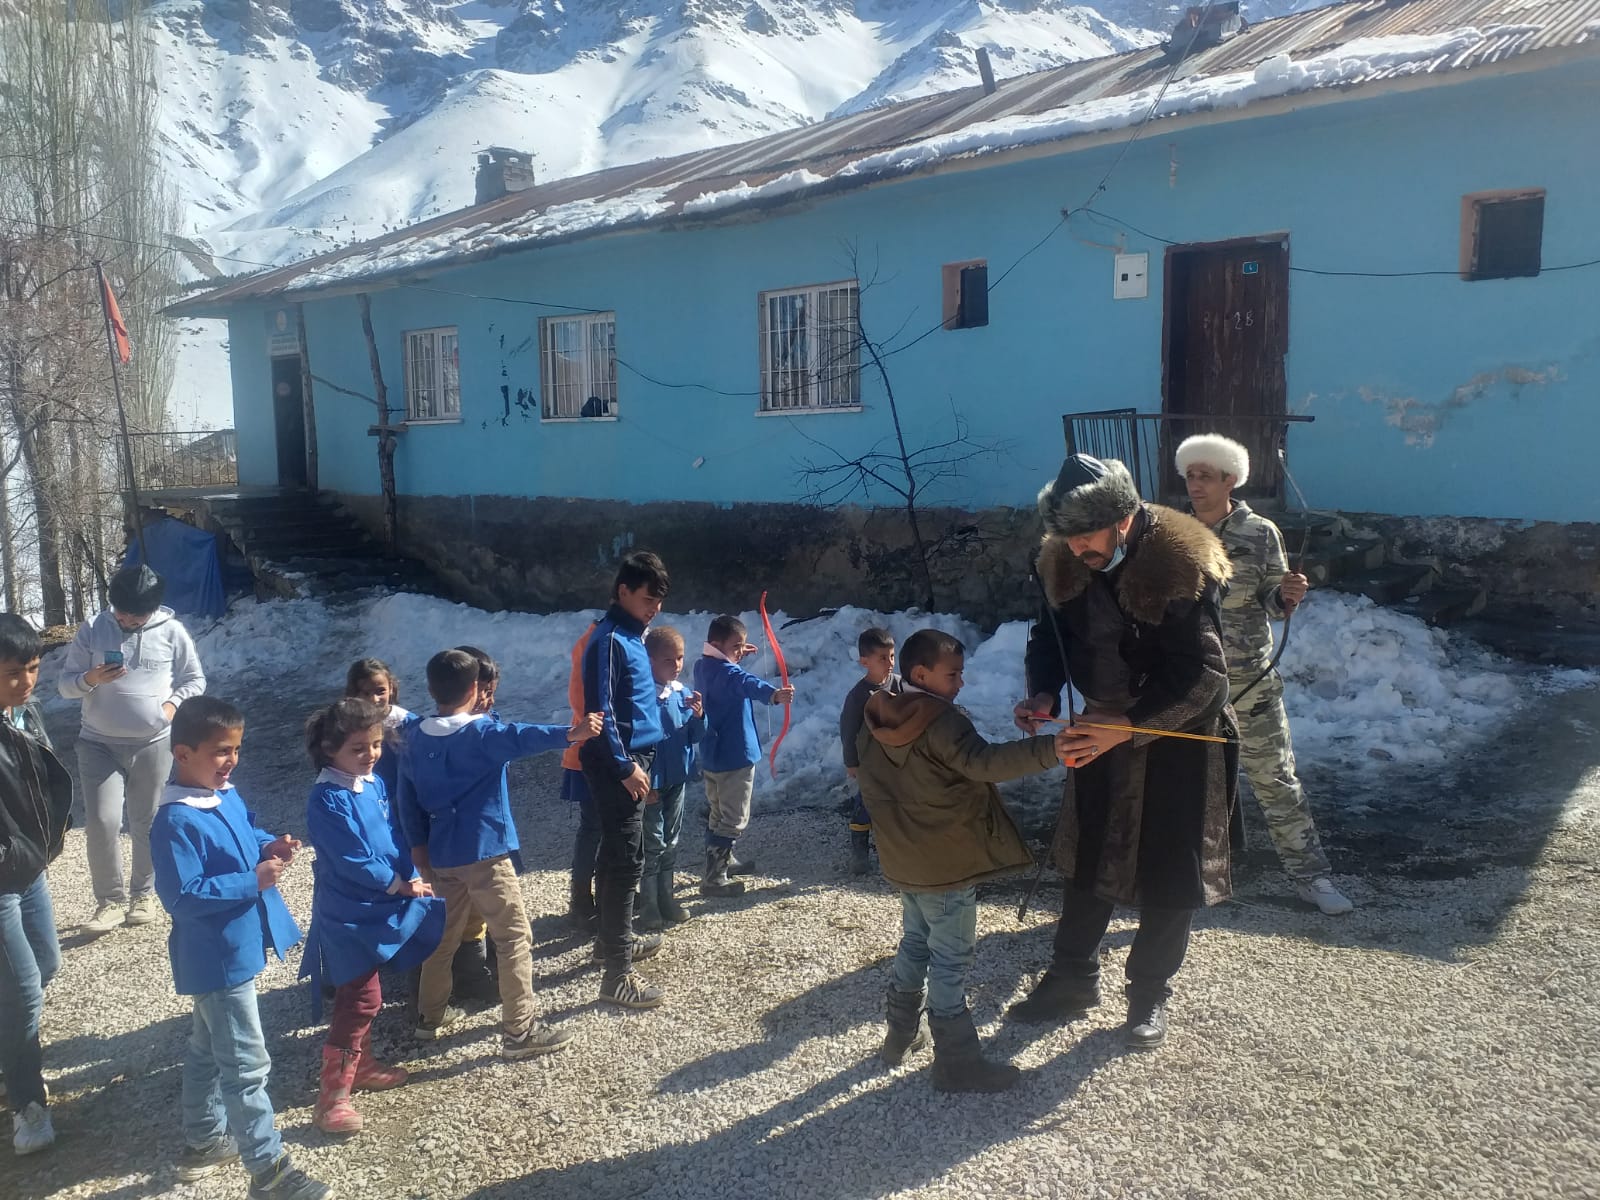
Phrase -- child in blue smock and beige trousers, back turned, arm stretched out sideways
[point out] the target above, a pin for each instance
(455, 812)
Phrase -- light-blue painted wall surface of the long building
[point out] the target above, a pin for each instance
(1369, 185)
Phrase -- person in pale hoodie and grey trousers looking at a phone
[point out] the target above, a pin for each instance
(132, 666)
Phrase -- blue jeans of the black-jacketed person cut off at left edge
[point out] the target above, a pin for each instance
(30, 956)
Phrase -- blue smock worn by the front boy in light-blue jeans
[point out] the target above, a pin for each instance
(206, 847)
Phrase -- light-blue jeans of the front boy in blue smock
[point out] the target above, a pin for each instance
(226, 1078)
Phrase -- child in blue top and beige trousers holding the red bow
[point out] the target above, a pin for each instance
(730, 750)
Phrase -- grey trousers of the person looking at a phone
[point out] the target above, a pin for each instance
(110, 777)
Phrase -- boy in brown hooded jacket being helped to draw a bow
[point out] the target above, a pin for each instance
(929, 780)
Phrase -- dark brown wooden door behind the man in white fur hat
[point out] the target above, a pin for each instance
(1228, 335)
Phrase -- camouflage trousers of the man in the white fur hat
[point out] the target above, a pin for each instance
(1266, 756)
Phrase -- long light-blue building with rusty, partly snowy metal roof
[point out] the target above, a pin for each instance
(1378, 215)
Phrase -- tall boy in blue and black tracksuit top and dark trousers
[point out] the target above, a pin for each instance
(620, 684)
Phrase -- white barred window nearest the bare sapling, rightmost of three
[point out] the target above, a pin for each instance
(796, 378)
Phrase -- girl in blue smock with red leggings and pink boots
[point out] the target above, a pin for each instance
(369, 910)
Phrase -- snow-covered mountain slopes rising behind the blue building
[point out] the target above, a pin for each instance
(298, 126)
